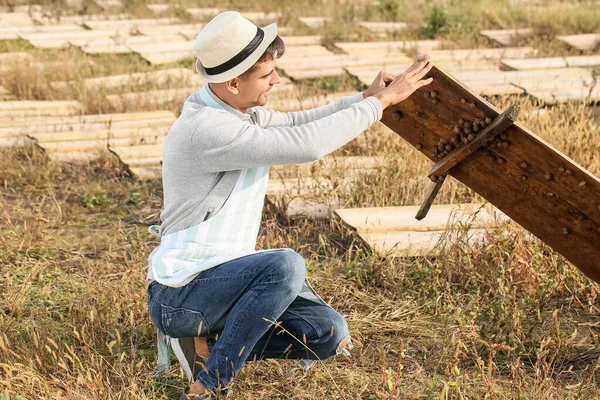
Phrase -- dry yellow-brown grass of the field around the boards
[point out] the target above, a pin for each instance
(508, 320)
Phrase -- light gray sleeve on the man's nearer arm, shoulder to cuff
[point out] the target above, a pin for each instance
(227, 143)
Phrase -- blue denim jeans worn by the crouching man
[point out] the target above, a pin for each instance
(237, 303)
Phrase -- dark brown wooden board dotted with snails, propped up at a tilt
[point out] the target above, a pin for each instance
(530, 181)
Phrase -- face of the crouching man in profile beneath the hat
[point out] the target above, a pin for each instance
(254, 90)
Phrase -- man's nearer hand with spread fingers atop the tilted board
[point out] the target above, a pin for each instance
(405, 84)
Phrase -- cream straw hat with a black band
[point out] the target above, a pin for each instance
(229, 45)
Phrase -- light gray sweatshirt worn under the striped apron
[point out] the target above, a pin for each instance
(206, 149)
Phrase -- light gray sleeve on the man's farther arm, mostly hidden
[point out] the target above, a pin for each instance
(269, 118)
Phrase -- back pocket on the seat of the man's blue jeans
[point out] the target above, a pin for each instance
(183, 322)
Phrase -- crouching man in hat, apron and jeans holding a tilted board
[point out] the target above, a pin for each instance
(210, 291)
